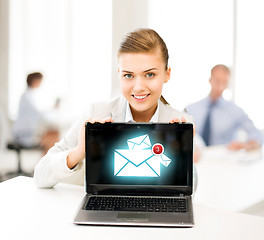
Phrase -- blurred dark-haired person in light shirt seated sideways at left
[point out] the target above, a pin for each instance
(34, 127)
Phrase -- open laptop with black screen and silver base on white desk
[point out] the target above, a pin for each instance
(138, 174)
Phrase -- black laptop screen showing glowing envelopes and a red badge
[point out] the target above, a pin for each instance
(139, 158)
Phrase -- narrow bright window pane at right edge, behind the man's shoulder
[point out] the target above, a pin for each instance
(250, 52)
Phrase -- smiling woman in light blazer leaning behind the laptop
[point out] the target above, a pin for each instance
(143, 69)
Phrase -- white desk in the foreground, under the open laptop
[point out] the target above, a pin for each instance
(30, 213)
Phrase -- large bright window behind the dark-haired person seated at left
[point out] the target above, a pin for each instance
(69, 42)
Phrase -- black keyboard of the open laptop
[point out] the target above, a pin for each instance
(141, 204)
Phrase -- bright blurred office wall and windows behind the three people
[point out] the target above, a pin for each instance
(74, 44)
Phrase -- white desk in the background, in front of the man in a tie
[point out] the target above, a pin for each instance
(229, 180)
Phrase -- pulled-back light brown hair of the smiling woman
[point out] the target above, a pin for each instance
(145, 40)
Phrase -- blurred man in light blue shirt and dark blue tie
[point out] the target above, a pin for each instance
(218, 121)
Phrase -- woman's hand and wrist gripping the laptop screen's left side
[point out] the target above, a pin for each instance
(77, 154)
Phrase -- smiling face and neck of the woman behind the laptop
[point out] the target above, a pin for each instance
(142, 77)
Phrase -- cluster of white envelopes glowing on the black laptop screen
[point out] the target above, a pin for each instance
(138, 160)
